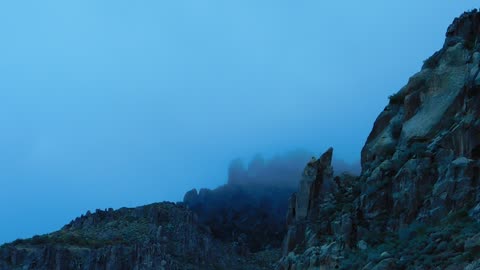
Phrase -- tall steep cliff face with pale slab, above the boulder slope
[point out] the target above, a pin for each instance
(422, 155)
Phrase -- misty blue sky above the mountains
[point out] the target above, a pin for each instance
(123, 103)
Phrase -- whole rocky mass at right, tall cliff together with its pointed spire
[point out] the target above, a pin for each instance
(419, 191)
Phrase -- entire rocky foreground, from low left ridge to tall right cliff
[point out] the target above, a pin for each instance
(415, 205)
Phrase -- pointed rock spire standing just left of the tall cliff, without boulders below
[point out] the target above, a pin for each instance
(312, 209)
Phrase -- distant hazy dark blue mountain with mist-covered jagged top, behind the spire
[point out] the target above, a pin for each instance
(250, 208)
